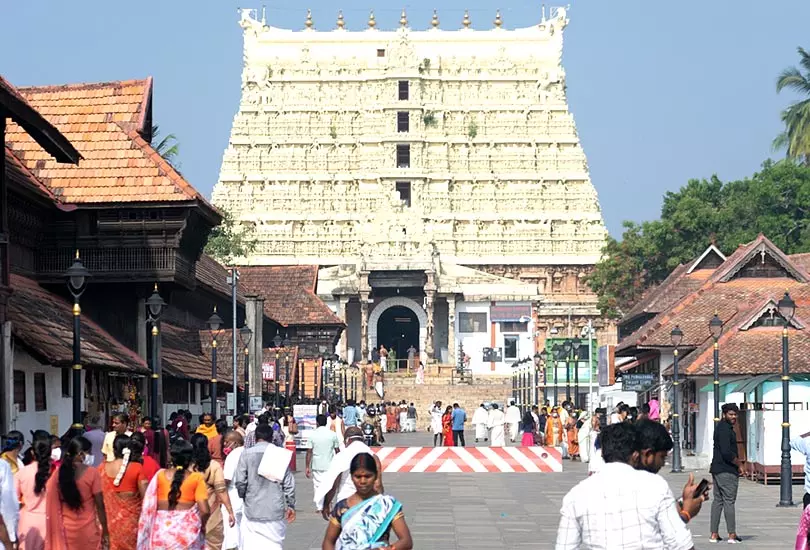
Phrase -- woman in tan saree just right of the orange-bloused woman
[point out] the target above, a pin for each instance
(217, 492)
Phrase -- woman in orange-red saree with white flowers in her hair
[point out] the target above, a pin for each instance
(123, 486)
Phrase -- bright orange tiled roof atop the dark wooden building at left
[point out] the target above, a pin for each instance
(106, 122)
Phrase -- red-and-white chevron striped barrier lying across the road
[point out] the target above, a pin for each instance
(470, 459)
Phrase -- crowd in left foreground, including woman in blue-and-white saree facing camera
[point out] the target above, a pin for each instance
(210, 484)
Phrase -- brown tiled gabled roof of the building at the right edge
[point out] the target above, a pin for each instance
(744, 349)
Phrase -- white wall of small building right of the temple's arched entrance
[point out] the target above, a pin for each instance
(474, 343)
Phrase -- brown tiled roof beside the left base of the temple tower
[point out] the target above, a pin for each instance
(289, 293)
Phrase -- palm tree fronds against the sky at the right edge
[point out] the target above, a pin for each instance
(796, 137)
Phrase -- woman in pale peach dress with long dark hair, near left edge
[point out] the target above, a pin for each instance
(31, 480)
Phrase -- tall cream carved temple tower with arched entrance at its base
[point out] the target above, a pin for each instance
(437, 166)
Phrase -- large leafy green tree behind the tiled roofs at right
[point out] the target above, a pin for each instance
(775, 201)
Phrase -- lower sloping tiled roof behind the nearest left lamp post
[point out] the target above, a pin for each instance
(43, 322)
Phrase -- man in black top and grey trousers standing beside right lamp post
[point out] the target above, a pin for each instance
(725, 470)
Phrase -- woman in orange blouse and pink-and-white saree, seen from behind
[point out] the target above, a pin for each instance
(175, 507)
